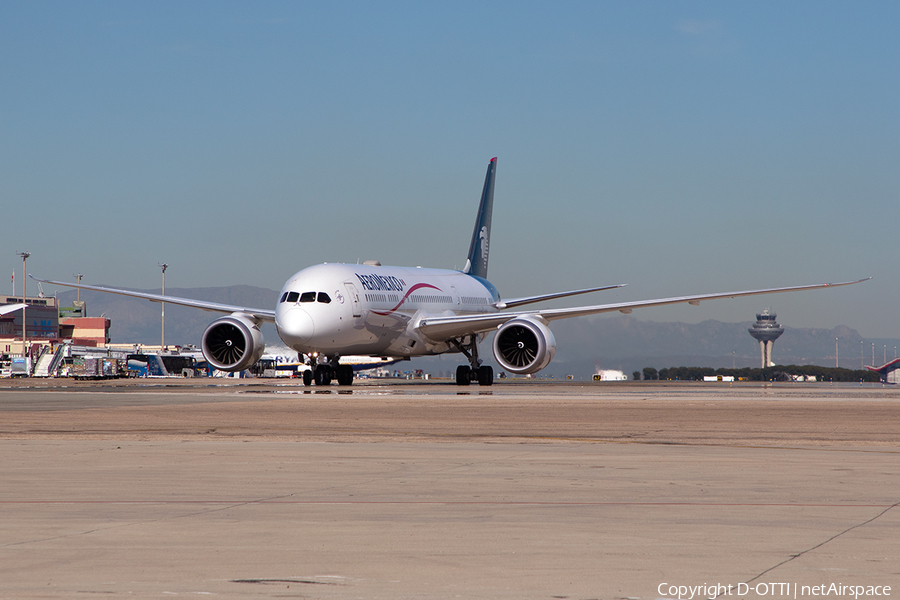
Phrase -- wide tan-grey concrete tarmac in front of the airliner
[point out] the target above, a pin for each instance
(524, 491)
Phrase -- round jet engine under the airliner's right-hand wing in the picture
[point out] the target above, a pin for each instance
(524, 345)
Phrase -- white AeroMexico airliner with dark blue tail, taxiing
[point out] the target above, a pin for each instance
(328, 311)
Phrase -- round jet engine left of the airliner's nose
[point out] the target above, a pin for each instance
(233, 343)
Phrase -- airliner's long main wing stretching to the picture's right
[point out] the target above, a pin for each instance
(447, 328)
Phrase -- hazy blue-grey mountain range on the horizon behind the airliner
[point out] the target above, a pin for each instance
(583, 344)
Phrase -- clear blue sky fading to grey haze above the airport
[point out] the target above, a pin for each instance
(677, 147)
